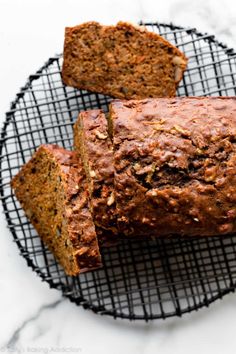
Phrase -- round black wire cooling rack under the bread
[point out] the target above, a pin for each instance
(140, 280)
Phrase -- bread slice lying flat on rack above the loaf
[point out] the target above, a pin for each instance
(123, 61)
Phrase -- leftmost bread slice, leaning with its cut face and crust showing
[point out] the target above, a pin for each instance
(52, 190)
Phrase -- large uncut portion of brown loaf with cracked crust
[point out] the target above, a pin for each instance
(175, 165)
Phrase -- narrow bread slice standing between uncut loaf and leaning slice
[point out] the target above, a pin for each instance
(93, 143)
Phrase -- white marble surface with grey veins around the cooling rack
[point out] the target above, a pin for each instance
(34, 318)
